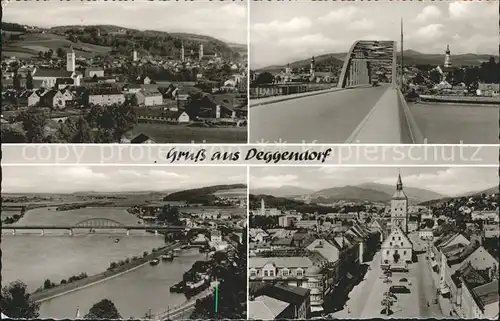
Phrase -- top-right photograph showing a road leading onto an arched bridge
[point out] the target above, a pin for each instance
(392, 72)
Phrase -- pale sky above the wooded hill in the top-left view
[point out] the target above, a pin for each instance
(222, 20)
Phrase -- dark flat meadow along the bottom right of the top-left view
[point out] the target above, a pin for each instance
(161, 133)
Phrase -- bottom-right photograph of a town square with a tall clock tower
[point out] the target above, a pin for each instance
(363, 243)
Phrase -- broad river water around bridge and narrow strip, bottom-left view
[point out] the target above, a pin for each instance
(33, 258)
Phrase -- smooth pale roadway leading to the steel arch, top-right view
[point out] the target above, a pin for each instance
(325, 118)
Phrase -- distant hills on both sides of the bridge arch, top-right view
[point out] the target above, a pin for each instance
(410, 57)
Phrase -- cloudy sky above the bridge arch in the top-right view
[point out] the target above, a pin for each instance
(283, 32)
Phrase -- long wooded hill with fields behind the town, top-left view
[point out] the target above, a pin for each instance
(100, 39)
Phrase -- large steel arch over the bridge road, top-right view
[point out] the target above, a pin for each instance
(357, 68)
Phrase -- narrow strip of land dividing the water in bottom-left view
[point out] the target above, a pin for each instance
(63, 289)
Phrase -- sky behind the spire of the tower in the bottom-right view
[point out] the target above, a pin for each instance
(449, 181)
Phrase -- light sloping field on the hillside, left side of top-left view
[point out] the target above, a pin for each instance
(32, 43)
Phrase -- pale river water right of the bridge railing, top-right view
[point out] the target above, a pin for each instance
(443, 123)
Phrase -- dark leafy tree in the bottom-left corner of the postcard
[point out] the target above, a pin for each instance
(16, 302)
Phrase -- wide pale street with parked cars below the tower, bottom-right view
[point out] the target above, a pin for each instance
(365, 300)
